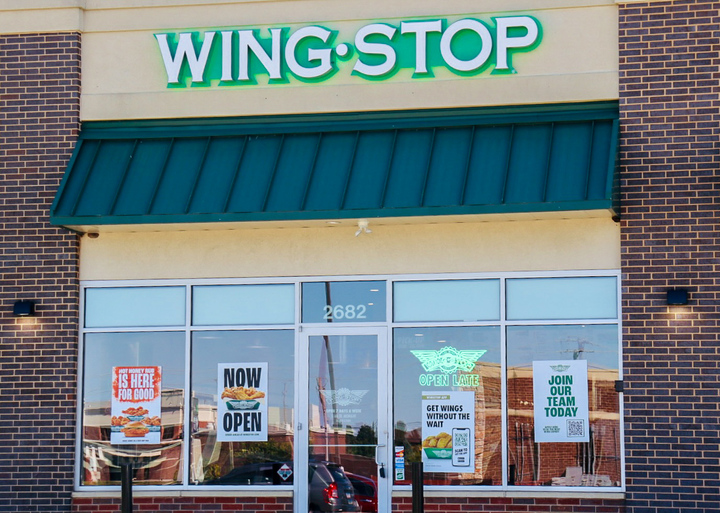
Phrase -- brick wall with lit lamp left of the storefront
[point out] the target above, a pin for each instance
(39, 111)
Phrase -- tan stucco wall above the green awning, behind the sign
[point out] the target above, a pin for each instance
(124, 76)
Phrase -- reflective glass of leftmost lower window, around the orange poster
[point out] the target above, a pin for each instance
(156, 464)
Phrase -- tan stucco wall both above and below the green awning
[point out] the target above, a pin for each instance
(124, 78)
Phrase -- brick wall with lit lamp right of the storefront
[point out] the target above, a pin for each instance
(671, 238)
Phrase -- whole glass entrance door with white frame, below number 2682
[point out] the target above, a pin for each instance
(346, 408)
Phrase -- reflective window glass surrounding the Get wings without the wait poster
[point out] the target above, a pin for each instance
(411, 378)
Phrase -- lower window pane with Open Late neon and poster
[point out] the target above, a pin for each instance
(462, 364)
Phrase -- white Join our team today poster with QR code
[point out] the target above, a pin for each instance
(560, 394)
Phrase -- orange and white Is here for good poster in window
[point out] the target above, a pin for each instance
(136, 405)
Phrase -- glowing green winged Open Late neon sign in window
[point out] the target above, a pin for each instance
(449, 361)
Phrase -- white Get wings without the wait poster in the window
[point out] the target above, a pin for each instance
(448, 431)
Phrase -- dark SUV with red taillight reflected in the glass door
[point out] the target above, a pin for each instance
(330, 489)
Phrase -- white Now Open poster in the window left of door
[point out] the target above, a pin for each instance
(242, 402)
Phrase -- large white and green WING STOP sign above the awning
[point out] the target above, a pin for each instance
(314, 53)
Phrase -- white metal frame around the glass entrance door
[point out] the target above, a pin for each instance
(385, 431)
